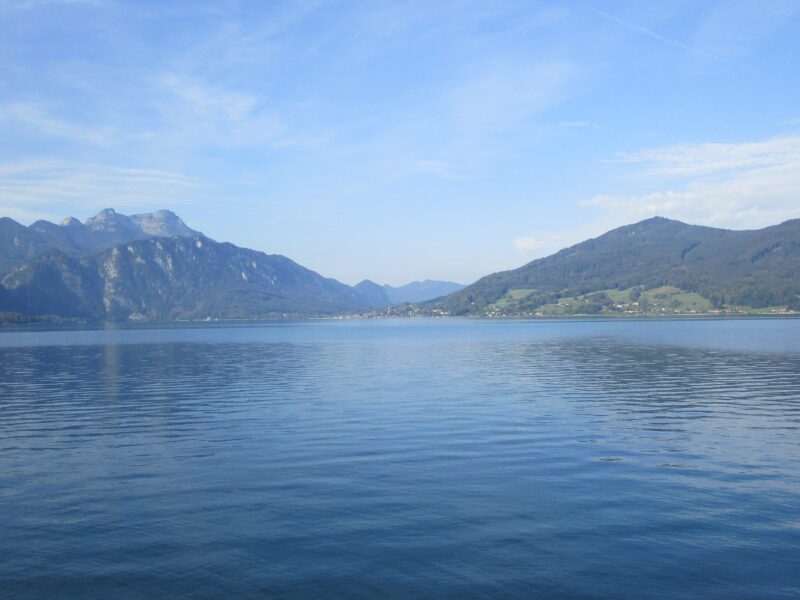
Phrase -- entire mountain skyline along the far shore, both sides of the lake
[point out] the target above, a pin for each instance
(153, 266)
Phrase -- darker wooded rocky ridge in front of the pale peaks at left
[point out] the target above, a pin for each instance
(173, 278)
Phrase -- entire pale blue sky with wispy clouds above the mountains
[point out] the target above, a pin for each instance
(402, 140)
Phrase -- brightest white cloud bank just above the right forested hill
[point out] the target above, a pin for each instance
(737, 185)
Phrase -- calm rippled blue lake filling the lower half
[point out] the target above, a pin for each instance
(403, 459)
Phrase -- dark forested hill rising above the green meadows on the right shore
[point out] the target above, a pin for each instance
(757, 268)
